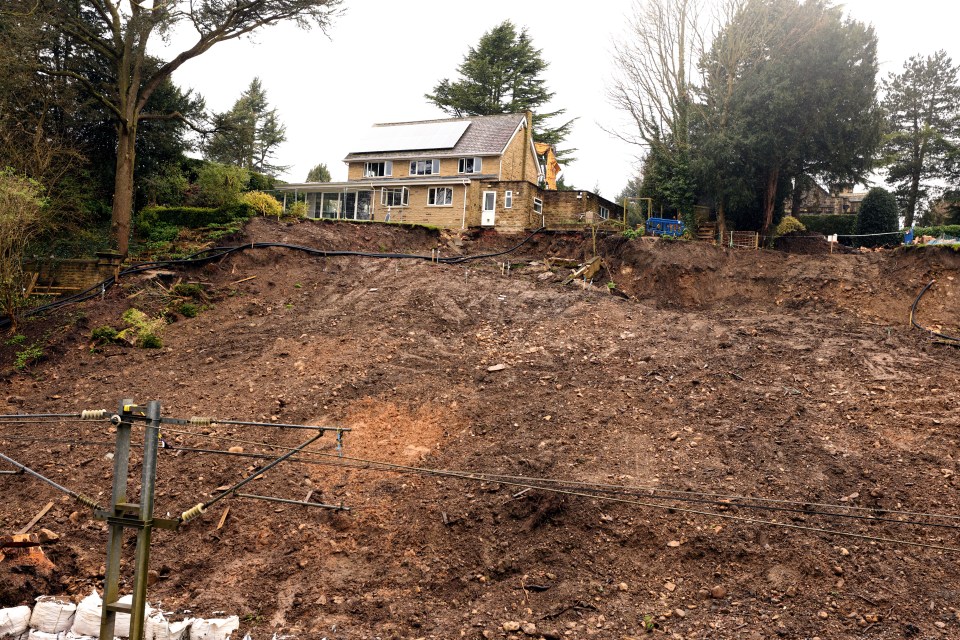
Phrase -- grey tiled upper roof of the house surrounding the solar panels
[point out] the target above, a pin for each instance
(486, 136)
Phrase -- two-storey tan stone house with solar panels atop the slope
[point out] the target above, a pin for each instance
(482, 171)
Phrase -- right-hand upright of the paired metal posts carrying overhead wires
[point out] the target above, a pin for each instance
(151, 440)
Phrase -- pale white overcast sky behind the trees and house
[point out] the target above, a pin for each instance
(381, 56)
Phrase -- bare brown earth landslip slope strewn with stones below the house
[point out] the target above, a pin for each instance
(705, 370)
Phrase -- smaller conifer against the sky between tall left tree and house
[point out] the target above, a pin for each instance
(248, 135)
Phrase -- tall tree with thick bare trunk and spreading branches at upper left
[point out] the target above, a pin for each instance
(112, 36)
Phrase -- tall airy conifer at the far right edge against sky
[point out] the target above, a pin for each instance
(923, 107)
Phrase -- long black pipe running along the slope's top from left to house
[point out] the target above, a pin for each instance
(212, 254)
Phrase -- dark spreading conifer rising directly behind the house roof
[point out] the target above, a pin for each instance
(502, 75)
